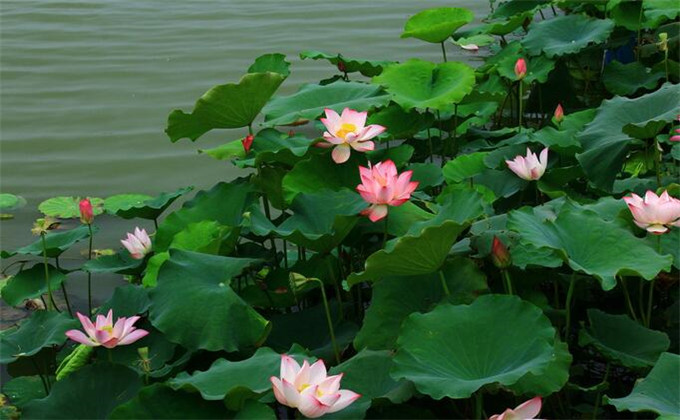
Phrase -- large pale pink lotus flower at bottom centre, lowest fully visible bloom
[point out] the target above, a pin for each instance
(309, 389)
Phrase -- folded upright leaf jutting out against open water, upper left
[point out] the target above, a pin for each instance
(225, 106)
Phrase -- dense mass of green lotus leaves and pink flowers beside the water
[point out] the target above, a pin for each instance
(464, 249)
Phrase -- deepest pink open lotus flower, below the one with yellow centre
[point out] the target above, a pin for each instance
(381, 186)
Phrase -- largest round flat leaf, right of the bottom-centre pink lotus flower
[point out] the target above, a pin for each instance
(457, 349)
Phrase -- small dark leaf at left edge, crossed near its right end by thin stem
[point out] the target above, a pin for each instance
(30, 283)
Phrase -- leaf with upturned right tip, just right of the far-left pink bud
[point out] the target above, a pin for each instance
(129, 206)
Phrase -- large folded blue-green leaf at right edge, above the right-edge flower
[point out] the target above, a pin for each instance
(604, 141)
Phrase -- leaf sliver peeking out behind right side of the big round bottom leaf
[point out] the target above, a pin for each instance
(555, 376)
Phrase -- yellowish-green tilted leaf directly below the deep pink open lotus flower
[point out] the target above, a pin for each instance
(411, 255)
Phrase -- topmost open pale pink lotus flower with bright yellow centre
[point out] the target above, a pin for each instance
(348, 131)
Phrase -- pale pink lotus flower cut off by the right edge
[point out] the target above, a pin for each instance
(654, 213)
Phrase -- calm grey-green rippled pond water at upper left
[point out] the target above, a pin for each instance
(86, 87)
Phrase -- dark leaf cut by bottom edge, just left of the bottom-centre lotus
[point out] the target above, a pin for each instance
(160, 402)
